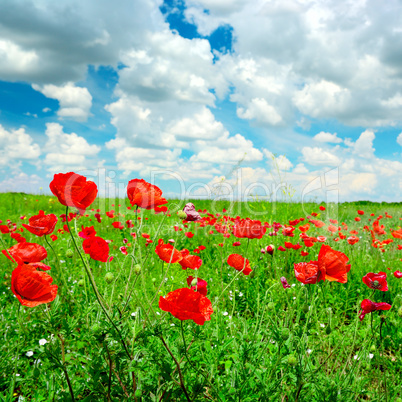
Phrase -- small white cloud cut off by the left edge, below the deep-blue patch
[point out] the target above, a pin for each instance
(16, 146)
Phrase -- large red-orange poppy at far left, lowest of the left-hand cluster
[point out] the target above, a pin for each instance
(32, 287)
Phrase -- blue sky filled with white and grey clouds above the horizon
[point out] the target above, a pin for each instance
(204, 97)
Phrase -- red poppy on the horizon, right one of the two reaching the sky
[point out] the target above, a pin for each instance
(144, 195)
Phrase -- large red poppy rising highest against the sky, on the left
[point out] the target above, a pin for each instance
(73, 190)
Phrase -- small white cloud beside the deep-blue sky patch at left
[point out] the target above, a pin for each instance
(75, 102)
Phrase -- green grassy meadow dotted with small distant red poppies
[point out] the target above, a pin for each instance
(109, 339)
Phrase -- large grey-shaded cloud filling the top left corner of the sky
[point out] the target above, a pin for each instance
(60, 39)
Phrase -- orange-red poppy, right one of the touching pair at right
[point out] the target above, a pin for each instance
(334, 264)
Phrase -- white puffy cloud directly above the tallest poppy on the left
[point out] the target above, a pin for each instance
(66, 151)
